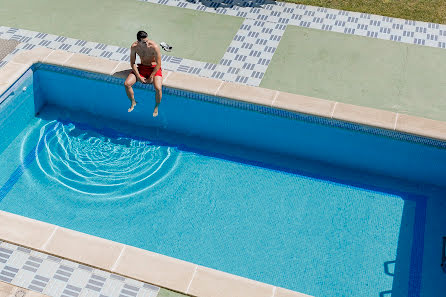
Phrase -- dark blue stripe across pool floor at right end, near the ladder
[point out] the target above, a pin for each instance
(416, 258)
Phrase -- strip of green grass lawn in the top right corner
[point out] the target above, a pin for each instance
(421, 10)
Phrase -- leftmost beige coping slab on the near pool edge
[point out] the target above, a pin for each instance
(24, 231)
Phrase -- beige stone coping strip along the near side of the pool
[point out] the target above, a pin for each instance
(128, 261)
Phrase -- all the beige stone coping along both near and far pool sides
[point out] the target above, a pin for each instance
(168, 272)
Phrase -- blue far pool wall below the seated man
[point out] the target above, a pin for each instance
(350, 145)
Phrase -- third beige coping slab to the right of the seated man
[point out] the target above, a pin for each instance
(304, 104)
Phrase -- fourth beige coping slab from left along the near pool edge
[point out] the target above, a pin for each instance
(213, 283)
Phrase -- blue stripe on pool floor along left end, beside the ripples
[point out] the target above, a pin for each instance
(29, 159)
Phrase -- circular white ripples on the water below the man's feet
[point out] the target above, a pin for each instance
(92, 163)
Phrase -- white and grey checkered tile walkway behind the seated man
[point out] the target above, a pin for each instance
(252, 48)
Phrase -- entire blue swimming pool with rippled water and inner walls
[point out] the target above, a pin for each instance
(314, 205)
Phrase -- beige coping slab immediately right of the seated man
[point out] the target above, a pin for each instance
(193, 83)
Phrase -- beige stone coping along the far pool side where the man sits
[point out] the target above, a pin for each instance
(372, 117)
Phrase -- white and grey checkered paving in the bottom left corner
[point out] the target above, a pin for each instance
(56, 277)
